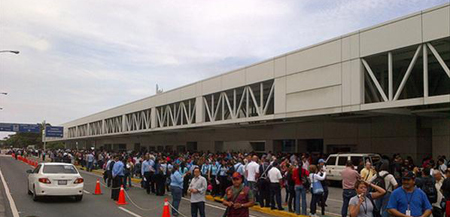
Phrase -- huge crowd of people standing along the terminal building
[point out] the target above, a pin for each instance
(390, 187)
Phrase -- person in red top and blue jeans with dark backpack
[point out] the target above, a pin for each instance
(302, 183)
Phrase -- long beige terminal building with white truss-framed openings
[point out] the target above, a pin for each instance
(383, 89)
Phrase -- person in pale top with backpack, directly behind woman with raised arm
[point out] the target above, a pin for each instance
(387, 181)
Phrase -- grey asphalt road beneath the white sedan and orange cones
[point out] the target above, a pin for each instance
(91, 205)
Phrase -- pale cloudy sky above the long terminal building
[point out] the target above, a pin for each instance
(81, 57)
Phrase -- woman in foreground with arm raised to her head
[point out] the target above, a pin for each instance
(363, 205)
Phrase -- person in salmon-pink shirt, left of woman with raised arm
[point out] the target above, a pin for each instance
(349, 178)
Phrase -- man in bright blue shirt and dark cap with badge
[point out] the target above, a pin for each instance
(409, 200)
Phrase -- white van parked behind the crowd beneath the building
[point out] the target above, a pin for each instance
(336, 163)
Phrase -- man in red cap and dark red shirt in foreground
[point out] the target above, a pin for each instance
(238, 198)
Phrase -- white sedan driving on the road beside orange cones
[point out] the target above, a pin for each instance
(55, 179)
